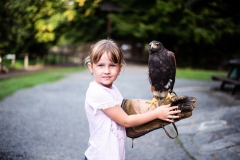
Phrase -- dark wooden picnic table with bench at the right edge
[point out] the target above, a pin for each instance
(233, 76)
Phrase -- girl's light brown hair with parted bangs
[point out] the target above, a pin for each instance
(108, 46)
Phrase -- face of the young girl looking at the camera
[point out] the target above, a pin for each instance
(105, 71)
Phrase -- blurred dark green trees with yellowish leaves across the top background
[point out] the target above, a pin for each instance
(202, 33)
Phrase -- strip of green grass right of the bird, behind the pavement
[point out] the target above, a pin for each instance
(197, 74)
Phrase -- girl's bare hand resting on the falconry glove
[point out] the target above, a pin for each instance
(167, 113)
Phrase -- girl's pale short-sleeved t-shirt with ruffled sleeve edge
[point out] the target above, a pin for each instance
(107, 138)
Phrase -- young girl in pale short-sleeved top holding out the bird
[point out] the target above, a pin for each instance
(107, 120)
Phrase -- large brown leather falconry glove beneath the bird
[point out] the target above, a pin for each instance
(137, 106)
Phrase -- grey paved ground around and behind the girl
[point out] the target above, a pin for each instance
(48, 122)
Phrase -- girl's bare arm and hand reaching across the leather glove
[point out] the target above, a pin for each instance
(119, 116)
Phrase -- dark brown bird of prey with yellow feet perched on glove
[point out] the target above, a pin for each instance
(162, 71)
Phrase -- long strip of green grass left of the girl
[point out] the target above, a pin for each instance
(9, 86)
